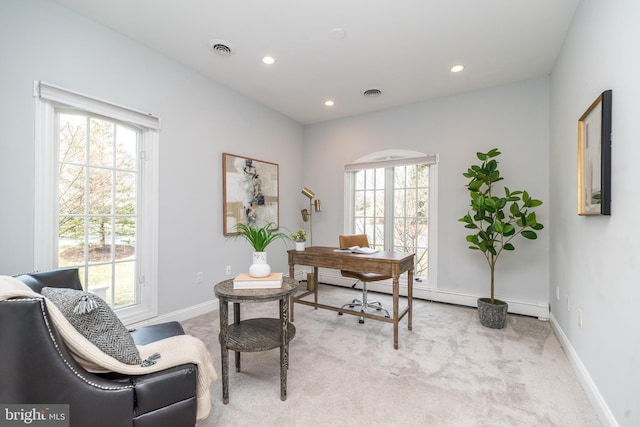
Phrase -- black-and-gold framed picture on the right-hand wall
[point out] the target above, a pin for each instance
(594, 158)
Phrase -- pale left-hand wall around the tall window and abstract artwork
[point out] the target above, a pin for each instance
(200, 119)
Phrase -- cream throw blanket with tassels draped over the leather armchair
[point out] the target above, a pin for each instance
(174, 351)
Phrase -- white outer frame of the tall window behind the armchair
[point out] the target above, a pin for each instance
(47, 97)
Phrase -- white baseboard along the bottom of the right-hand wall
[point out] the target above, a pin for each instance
(596, 399)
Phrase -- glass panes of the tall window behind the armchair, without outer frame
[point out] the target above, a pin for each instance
(97, 181)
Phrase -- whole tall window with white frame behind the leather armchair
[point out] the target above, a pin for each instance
(97, 196)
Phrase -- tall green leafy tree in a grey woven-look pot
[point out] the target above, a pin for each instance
(495, 221)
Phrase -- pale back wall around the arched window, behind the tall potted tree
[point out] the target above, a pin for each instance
(513, 118)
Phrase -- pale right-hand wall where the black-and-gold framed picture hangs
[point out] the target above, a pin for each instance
(595, 261)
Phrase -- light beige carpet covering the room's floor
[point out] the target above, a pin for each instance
(448, 371)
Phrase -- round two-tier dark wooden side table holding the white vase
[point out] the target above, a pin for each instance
(258, 334)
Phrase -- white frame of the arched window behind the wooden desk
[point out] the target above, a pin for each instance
(389, 158)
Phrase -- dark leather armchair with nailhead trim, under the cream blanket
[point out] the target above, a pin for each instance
(36, 368)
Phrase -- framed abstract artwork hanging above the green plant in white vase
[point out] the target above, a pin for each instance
(250, 192)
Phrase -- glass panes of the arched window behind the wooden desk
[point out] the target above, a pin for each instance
(392, 201)
